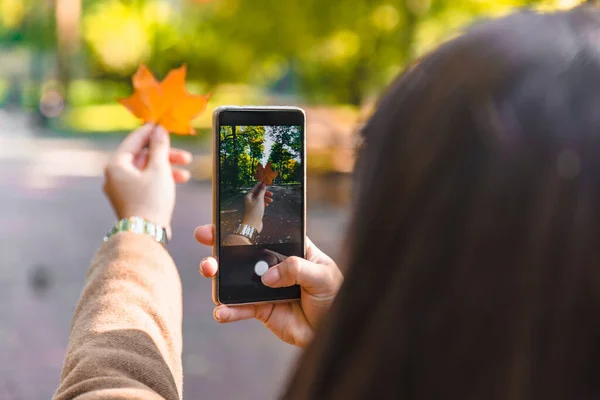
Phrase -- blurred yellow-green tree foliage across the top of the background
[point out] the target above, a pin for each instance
(327, 51)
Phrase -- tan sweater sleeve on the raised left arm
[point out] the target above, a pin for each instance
(125, 340)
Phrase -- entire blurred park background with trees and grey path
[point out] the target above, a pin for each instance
(64, 63)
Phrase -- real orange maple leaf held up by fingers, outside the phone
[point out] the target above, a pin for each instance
(165, 103)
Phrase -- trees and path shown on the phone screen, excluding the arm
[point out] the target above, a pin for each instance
(270, 155)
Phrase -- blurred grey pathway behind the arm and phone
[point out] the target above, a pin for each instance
(53, 217)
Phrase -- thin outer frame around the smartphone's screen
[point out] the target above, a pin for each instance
(253, 115)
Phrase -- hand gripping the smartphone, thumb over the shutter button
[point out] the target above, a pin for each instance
(294, 323)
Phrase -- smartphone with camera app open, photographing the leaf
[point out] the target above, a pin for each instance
(259, 199)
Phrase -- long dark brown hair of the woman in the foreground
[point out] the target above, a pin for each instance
(474, 250)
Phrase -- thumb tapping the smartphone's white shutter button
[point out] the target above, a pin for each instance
(298, 271)
